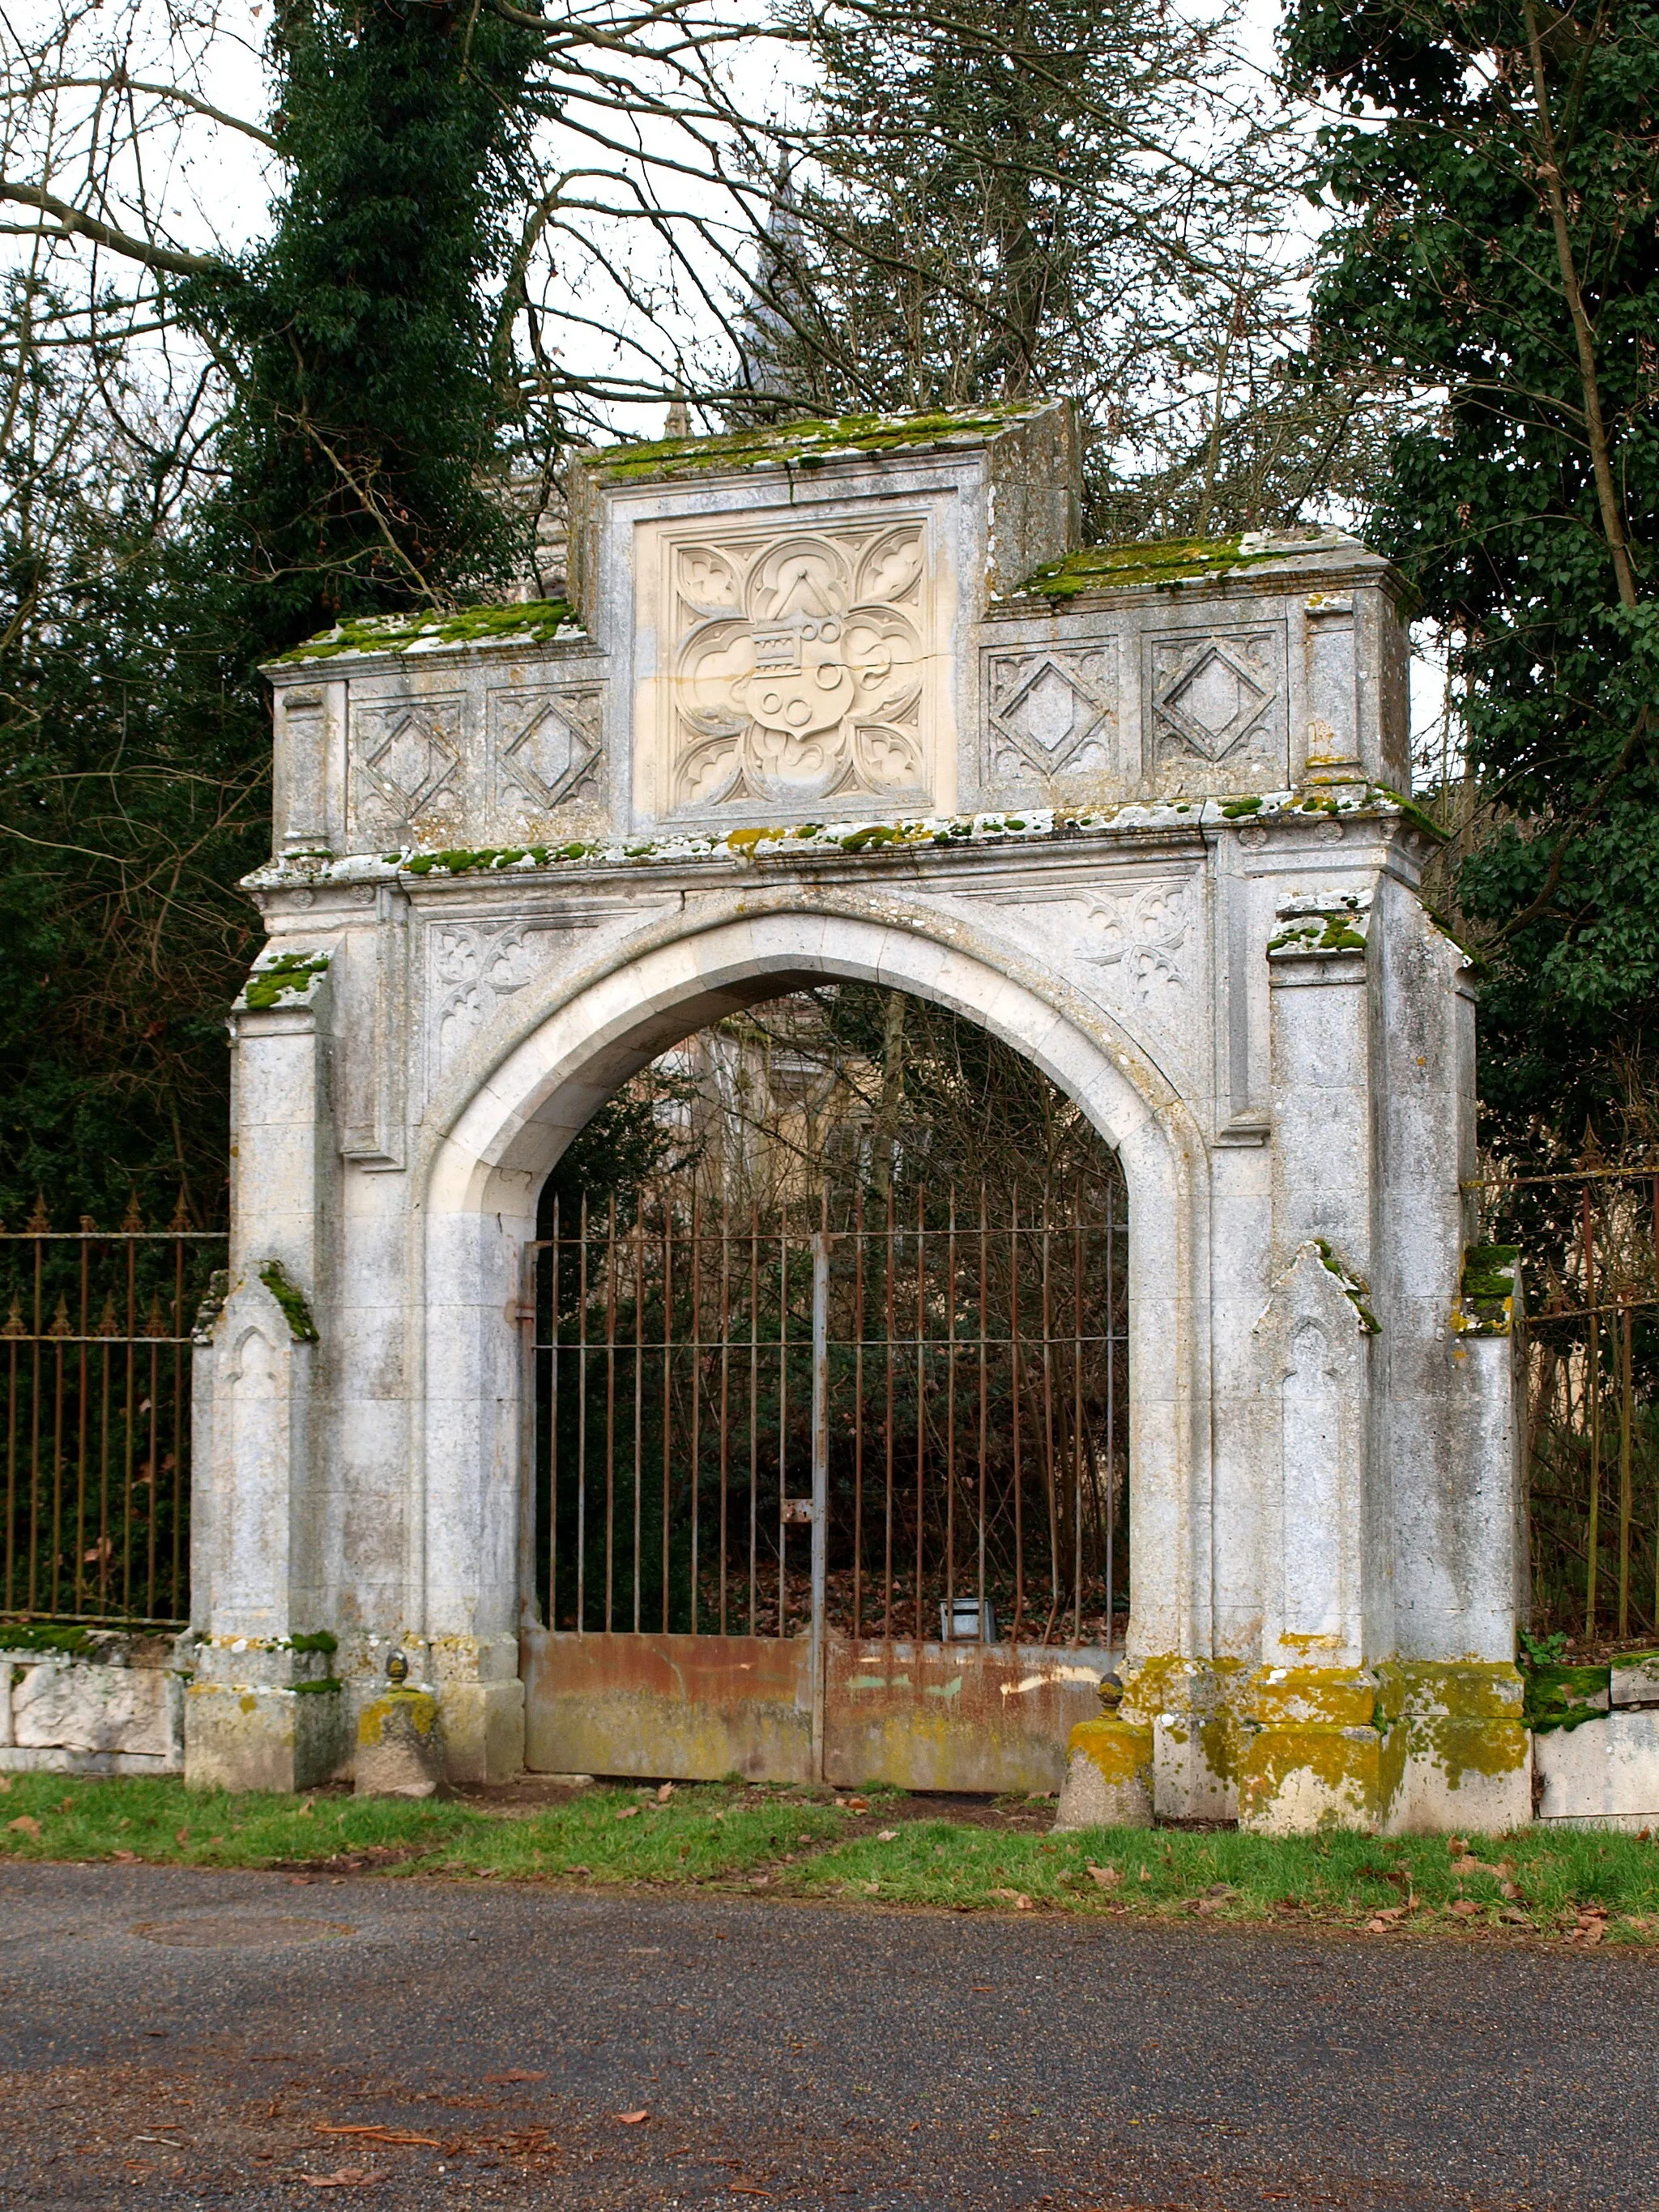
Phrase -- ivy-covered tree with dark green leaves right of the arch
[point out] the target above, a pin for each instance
(1525, 508)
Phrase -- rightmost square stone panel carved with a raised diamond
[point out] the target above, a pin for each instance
(1218, 709)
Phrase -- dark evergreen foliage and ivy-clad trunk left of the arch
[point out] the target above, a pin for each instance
(357, 468)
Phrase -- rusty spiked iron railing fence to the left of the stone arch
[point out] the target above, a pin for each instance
(96, 1419)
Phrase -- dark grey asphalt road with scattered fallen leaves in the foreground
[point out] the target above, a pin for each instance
(176, 2038)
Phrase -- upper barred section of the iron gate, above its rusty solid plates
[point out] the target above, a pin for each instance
(941, 1377)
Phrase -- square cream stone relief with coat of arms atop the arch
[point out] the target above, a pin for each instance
(797, 669)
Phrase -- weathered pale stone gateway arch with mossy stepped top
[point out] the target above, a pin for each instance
(853, 702)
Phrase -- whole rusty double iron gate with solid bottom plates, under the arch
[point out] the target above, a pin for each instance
(828, 1494)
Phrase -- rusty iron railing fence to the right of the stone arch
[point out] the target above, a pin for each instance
(1589, 1249)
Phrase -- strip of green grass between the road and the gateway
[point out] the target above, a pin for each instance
(789, 1841)
